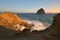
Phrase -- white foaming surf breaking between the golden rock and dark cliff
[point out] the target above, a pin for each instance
(37, 25)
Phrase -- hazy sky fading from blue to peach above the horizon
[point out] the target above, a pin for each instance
(29, 5)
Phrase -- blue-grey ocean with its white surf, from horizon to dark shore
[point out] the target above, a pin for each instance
(41, 21)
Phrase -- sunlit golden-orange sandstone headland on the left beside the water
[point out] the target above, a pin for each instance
(10, 20)
